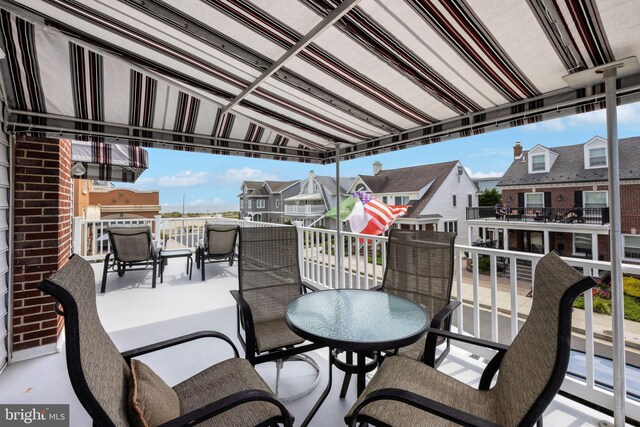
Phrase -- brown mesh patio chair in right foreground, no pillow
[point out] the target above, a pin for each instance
(407, 392)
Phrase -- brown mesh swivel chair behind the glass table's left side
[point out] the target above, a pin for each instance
(269, 277)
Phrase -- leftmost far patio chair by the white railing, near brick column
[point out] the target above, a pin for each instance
(132, 249)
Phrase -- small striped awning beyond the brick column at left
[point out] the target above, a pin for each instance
(108, 162)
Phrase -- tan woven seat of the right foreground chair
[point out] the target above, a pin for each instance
(407, 374)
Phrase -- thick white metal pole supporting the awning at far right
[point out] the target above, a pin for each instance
(619, 385)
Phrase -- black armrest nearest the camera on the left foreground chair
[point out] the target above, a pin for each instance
(214, 408)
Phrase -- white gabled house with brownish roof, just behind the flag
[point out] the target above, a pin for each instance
(438, 193)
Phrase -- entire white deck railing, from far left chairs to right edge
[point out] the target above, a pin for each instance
(495, 302)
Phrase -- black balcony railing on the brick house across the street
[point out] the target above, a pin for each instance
(597, 216)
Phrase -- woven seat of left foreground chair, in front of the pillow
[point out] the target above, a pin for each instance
(221, 380)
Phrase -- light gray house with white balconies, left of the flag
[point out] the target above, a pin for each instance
(317, 195)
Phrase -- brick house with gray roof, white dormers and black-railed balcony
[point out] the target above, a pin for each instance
(557, 199)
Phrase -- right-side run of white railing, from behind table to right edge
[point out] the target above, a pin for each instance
(488, 303)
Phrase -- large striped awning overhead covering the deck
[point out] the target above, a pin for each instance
(287, 79)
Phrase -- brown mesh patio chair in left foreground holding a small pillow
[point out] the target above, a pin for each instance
(100, 374)
